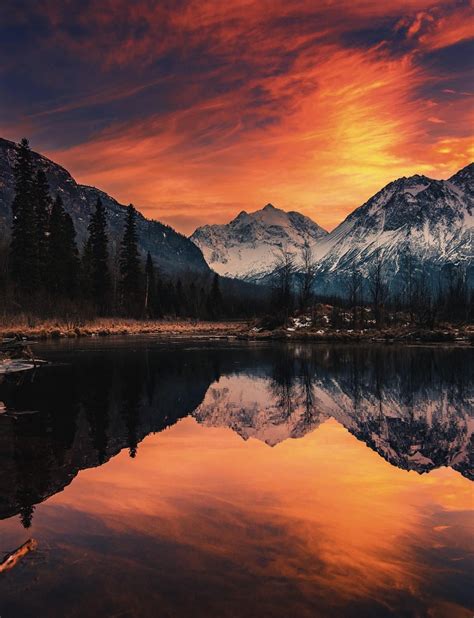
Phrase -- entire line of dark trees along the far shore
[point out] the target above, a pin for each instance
(43, 271)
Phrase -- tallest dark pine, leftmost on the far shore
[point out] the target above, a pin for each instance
(23, 248)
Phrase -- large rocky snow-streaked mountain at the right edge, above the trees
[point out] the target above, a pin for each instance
(430, 220)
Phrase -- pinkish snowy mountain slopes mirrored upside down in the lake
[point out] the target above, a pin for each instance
(431, 428)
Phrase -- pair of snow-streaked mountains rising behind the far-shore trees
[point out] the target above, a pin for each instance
(430, 220)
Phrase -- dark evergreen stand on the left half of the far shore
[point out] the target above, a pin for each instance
(46, 272)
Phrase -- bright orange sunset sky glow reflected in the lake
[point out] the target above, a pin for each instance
(331, 516)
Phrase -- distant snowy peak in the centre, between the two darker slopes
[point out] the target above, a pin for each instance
(247, 247)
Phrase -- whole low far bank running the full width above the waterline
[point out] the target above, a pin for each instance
(243, 330)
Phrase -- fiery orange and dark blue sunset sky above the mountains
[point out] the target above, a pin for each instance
(194, 110)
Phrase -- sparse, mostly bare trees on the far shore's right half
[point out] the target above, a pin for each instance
(419, 296)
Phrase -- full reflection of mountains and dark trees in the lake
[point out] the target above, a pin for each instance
(411, 405)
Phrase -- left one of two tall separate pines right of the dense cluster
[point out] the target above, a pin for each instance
(97, 256)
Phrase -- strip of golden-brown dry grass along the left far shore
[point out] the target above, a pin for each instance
(25, 326)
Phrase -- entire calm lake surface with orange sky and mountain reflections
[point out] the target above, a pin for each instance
(239, 480)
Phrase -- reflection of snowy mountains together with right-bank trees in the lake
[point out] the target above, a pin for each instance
(409, 414)
